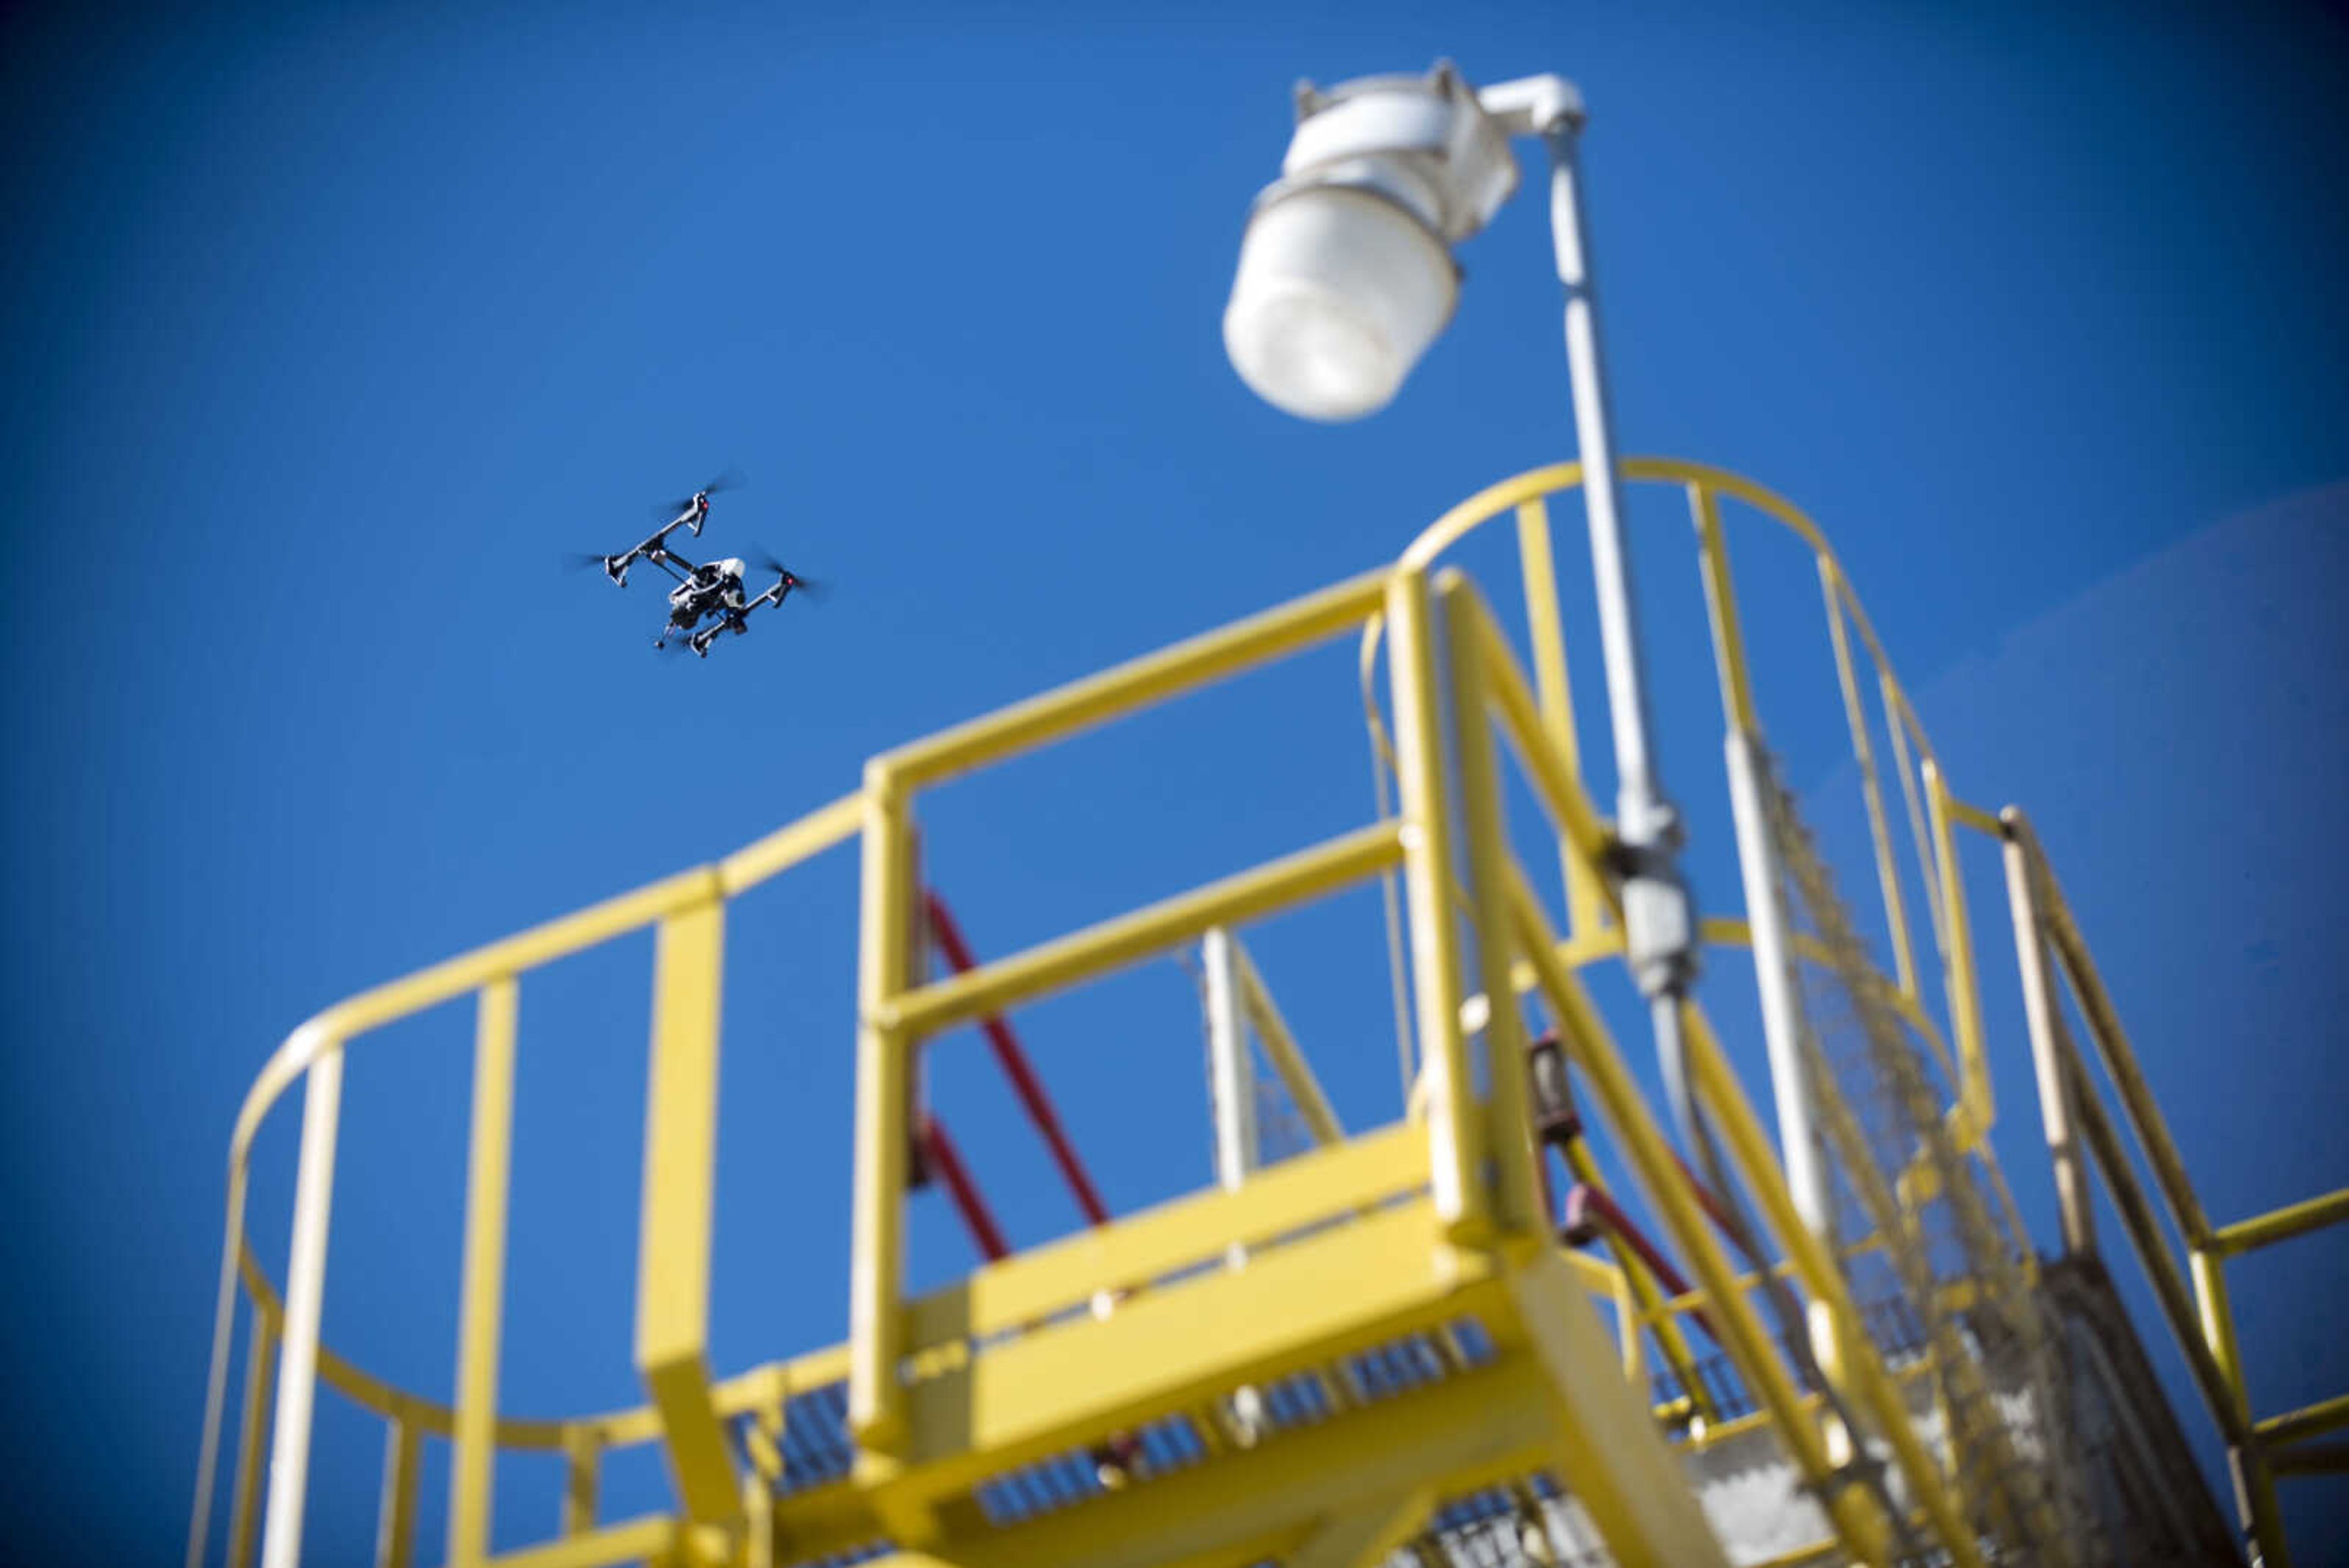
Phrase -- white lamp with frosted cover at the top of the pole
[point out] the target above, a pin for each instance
(1347, 267)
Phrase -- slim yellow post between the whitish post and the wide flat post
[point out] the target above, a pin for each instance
(471, 1468)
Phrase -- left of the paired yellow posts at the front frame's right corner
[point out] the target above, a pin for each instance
(1455, 1151)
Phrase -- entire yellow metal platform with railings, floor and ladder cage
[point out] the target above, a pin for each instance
(1472, 1358)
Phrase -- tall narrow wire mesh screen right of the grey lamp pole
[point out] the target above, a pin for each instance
(1923, 1221)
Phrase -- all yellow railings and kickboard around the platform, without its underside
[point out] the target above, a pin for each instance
(1443, 1209)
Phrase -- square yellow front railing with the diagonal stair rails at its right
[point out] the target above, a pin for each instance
(1465, 1130)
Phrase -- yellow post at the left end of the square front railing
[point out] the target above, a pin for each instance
(877, 1266)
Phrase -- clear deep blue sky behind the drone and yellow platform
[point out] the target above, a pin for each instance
(330, 330)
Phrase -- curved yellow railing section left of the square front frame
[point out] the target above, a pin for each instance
(288, 1360)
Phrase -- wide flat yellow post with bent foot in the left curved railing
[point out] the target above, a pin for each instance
(680, 1170)
